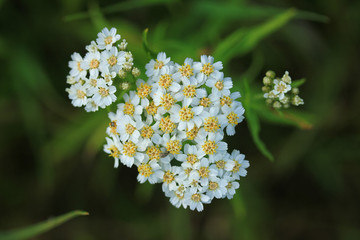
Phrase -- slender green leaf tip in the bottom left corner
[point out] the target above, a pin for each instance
(36, 229)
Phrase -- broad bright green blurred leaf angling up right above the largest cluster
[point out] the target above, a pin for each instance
(243, 40)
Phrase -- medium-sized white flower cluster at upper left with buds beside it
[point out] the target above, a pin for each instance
(91, 78)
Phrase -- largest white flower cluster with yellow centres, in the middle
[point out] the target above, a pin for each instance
(172, 128)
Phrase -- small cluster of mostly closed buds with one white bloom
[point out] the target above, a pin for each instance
(278, 92)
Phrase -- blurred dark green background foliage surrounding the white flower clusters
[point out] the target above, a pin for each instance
(51, 153)
